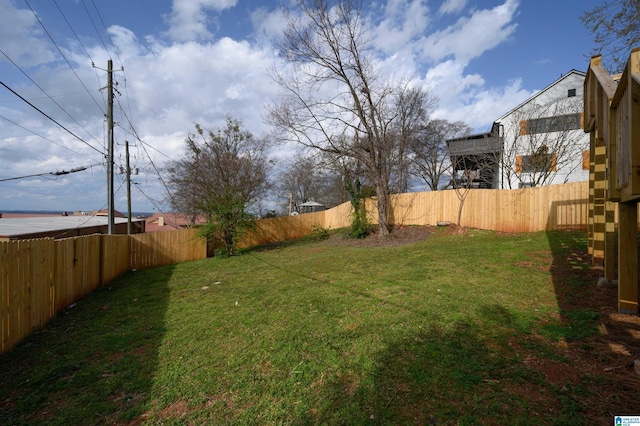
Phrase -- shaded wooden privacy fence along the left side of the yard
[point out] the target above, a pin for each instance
(39, 278)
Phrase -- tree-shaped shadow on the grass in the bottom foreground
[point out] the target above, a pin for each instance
(457, 375)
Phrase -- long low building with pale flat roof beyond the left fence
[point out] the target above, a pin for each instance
(62, 227)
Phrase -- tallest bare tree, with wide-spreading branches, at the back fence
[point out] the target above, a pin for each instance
(332, 98)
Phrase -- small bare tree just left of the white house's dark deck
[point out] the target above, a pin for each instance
(431, 161)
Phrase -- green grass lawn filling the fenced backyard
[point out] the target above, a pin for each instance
(472, 328)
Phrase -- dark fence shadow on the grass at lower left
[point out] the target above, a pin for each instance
(95, 362)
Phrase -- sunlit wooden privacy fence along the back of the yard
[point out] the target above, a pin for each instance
(545, 208)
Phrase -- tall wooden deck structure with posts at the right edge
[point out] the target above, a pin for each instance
(612, 116)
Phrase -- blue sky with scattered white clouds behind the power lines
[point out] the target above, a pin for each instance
(180, 62)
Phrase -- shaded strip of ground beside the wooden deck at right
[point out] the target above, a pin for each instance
(602, 342)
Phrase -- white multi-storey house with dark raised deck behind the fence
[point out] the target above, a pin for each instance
(539, 142)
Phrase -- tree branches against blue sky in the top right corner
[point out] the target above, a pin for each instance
(615, 25)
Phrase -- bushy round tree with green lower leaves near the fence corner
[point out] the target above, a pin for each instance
(222, 173)
